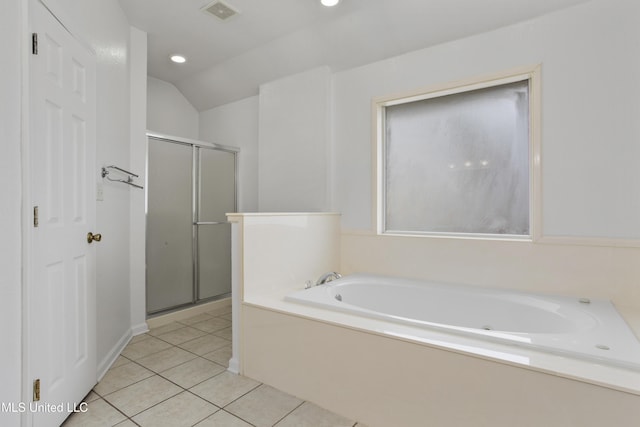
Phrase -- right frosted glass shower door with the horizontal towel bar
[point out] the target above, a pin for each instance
(216, 197)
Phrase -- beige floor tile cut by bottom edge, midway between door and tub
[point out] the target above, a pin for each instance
(182, 410)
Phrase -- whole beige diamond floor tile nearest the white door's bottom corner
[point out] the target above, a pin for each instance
(142, 395)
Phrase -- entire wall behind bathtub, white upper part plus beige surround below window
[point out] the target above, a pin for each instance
(590, 149)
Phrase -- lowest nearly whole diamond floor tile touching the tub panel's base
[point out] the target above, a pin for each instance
(264, 406)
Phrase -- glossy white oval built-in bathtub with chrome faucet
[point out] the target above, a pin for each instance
(582, 328)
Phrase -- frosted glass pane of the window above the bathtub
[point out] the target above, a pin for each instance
(459, 163)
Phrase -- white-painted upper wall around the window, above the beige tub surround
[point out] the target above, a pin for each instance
(589, 105)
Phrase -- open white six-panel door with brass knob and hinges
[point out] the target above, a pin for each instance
(61, 299)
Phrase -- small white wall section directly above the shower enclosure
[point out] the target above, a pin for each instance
(169, 112)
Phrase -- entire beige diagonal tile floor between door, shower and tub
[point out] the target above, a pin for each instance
(175, 375)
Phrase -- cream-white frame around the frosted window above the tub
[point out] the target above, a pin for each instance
(530, 73)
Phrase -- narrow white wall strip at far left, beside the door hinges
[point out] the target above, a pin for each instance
(10, 210)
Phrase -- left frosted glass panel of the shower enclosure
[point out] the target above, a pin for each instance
(169, 226)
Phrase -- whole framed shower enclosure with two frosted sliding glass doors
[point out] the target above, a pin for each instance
(191, 185)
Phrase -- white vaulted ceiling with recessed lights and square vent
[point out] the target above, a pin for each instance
(268, 39)
